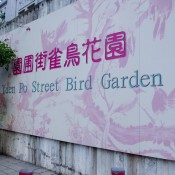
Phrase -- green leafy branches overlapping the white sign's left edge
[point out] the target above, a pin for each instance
(7, 55)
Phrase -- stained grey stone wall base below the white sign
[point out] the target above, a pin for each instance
(71, 159)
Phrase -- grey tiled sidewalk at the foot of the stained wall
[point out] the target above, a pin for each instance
(10, 166)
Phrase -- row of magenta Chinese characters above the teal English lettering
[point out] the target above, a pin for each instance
(115, 47)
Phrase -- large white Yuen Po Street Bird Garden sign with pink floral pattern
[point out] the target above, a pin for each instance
(96, 73)
